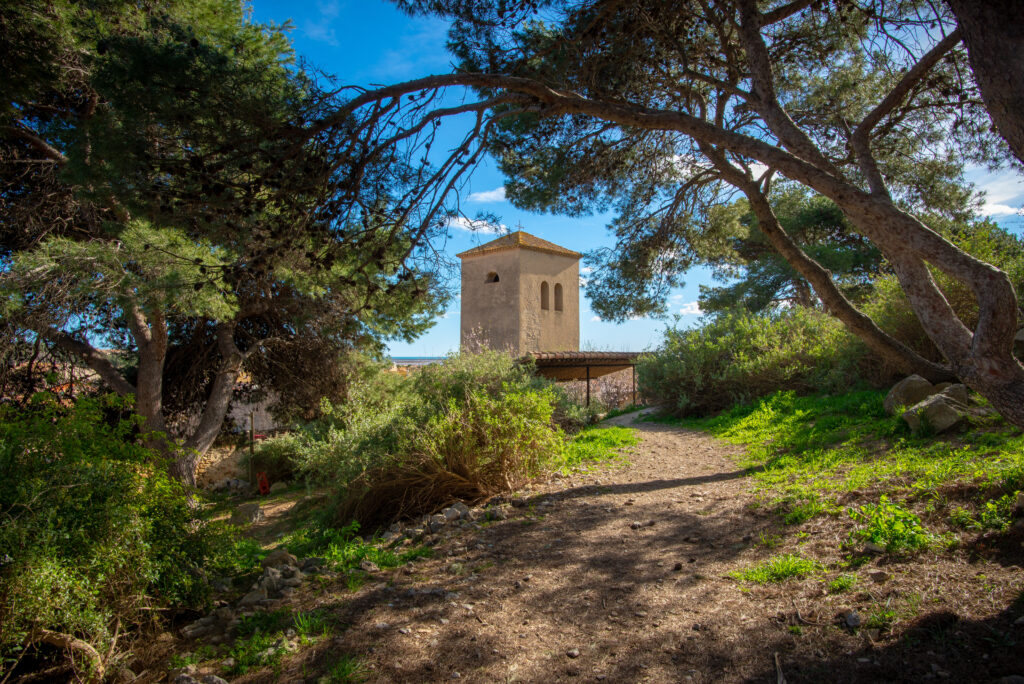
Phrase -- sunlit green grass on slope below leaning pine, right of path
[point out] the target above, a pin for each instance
(807, 453)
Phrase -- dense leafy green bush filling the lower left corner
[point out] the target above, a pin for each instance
(93, 532)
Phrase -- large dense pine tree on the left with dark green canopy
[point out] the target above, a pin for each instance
(168, 189)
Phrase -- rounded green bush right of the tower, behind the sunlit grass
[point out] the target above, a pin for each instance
(742, 357)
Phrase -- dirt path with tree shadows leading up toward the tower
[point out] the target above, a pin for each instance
(570, 586)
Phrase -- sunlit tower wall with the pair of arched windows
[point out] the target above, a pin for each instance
(549, 330)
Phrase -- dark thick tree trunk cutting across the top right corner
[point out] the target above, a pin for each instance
(994, 33)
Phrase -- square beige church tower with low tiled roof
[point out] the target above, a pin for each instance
(521, 294)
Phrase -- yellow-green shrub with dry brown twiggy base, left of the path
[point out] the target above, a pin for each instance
(472, 451)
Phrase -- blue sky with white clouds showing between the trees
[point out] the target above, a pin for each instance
(370, 42)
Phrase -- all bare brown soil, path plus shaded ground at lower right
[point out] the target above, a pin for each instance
(569, 589)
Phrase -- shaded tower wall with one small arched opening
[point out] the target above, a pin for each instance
(490, 314)
